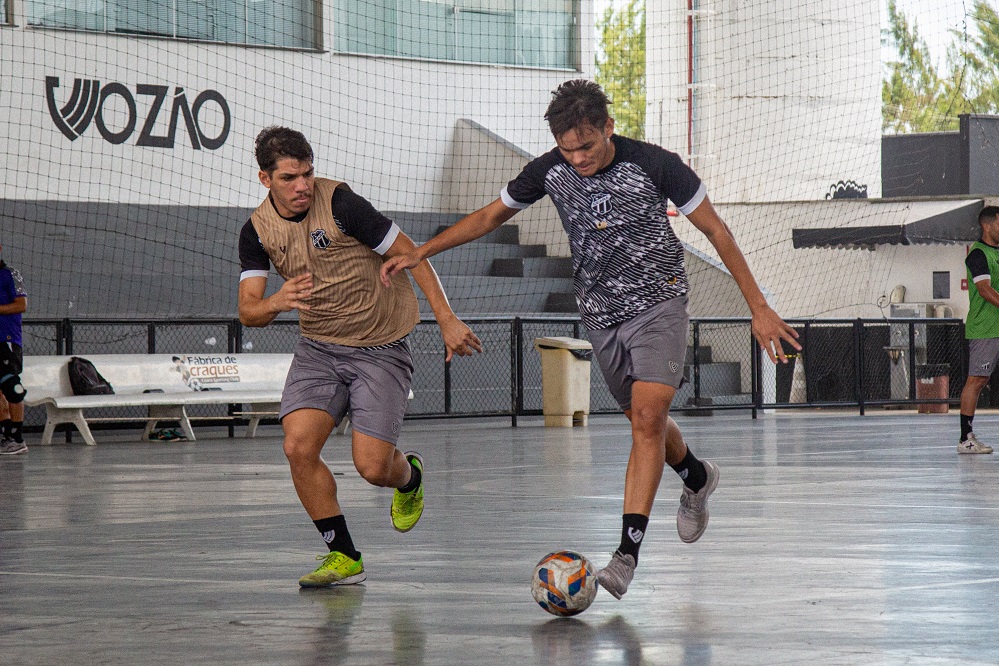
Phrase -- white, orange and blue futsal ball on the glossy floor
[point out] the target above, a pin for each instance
(564, 583)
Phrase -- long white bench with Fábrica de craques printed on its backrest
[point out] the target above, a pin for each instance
(179, 380)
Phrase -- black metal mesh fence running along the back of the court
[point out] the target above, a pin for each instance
(844, 362)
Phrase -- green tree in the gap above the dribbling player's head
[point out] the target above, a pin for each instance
(621, 65)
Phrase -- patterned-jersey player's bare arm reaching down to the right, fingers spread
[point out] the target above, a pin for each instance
(768, 328)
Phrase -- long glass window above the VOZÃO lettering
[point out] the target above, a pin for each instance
(289, 23)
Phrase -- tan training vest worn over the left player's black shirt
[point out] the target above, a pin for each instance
(349, 304)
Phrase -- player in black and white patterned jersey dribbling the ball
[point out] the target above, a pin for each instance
(612, 195)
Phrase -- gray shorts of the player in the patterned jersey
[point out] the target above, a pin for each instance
(648, 348)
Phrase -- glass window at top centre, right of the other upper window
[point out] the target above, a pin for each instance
(538, 33)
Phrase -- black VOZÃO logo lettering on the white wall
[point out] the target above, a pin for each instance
(88, 97)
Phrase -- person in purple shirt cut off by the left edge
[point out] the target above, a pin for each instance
(13, 302)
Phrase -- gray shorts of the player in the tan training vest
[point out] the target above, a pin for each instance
(372, 384)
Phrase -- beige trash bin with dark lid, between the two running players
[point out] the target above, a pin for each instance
(565, 380)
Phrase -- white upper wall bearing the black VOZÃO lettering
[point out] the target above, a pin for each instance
(383, 124)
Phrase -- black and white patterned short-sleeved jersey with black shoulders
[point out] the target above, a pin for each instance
(625, 256)
